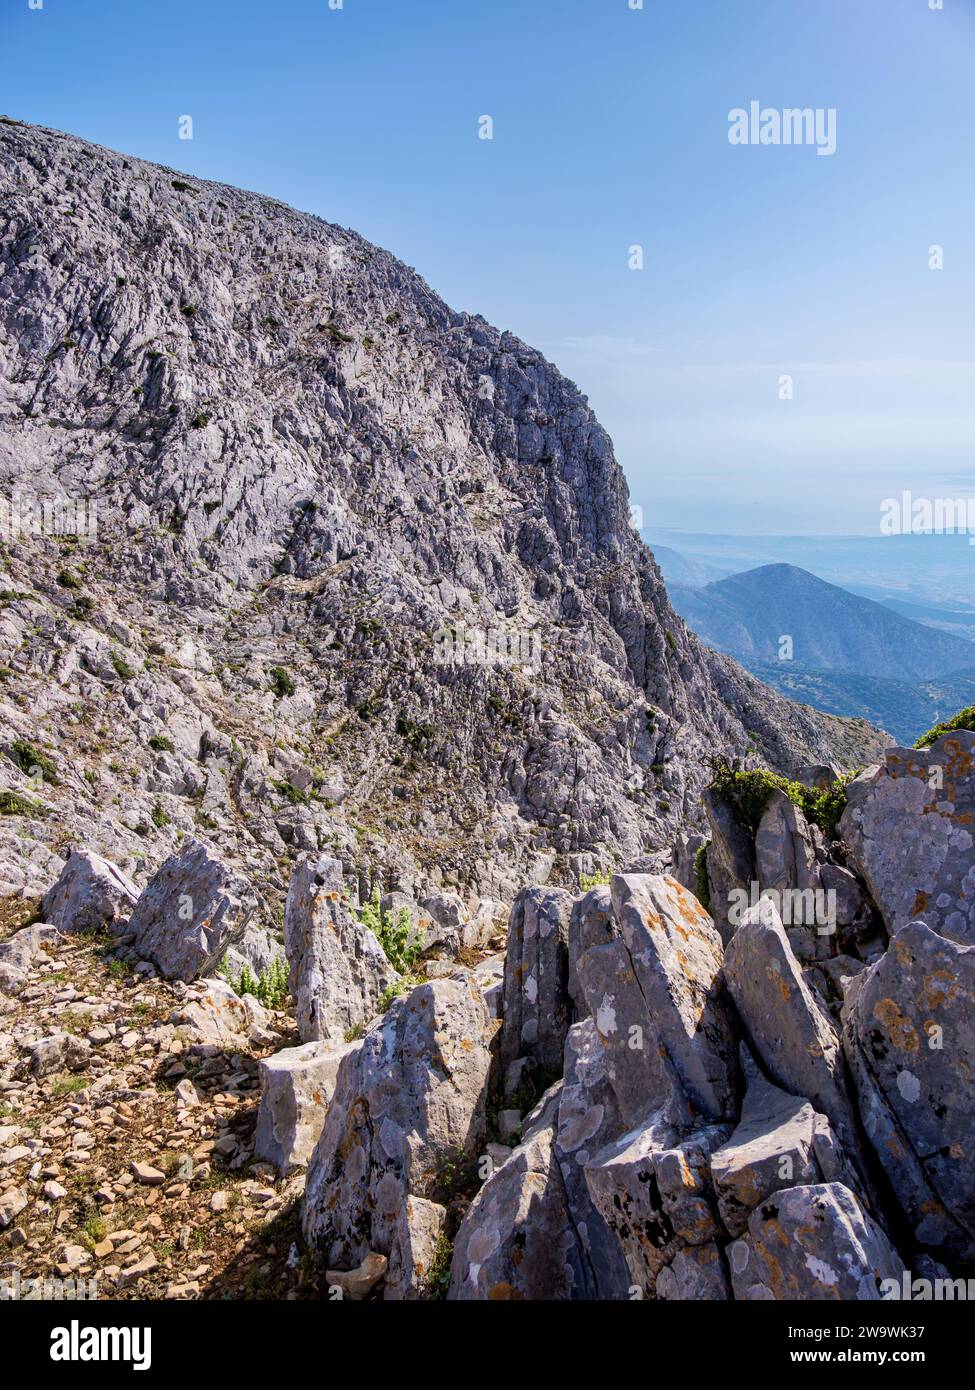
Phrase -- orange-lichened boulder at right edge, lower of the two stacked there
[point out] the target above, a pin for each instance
(909, 1032)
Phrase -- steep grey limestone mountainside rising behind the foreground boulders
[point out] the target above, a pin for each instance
(308, 471)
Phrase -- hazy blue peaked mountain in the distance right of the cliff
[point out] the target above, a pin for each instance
(831, 629)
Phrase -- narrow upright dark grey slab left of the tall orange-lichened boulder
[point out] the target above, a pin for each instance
(536, 997)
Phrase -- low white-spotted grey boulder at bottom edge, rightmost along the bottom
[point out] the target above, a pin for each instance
(813, 1243)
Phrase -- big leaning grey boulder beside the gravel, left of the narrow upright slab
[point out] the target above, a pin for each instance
(408, 1110)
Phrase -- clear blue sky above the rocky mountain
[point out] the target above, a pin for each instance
(611, 131)
